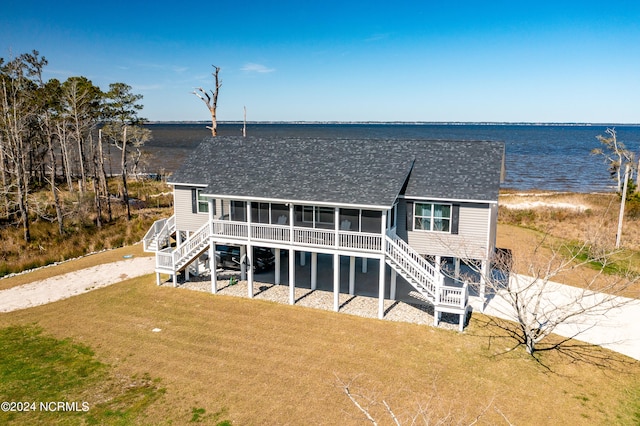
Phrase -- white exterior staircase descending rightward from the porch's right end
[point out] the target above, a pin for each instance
(427, 280)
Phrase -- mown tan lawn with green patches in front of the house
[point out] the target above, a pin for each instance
(219, 358)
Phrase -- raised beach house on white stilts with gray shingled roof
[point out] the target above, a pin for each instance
(398, 205)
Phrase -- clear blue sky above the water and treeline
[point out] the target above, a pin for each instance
(348, 61)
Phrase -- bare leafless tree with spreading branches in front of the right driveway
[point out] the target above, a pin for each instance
(526, 290)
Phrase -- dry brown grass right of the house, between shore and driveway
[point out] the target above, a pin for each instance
(544, 227)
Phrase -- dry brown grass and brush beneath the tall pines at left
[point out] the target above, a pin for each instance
(81, 235)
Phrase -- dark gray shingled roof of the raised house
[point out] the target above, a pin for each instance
(359, 172)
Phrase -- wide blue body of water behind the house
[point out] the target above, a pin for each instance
(548, 157)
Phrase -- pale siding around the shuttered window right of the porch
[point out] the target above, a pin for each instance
(471, 242)
